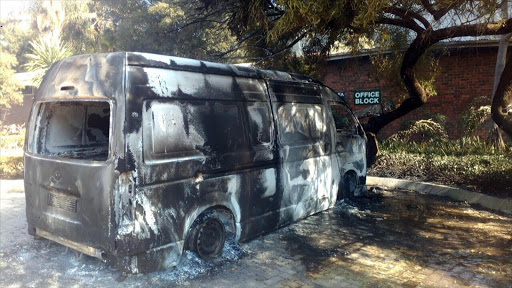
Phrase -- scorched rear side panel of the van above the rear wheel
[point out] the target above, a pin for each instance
(200, 140)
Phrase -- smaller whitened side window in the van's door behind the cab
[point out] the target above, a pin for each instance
(300, 122)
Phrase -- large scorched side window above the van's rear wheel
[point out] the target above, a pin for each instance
(178, 128)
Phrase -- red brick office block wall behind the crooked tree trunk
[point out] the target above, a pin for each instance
(465, 75)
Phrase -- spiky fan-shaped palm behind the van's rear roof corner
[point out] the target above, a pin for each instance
(45, 52)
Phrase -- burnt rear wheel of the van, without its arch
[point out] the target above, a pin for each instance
(210, 237)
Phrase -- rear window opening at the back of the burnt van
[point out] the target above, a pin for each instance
(76, 130)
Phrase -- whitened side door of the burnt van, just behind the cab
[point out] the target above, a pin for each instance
(304, 169)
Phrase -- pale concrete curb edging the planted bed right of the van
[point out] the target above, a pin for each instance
(490, 202)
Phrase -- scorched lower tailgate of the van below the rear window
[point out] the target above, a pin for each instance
(71, 199)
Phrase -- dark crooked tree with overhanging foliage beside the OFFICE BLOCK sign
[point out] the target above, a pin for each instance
(285, 22)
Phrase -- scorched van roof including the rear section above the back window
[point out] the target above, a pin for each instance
(102, 74)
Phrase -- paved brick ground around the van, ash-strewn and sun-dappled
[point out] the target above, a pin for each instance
(391, 239)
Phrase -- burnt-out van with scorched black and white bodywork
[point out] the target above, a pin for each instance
(132, 157)
